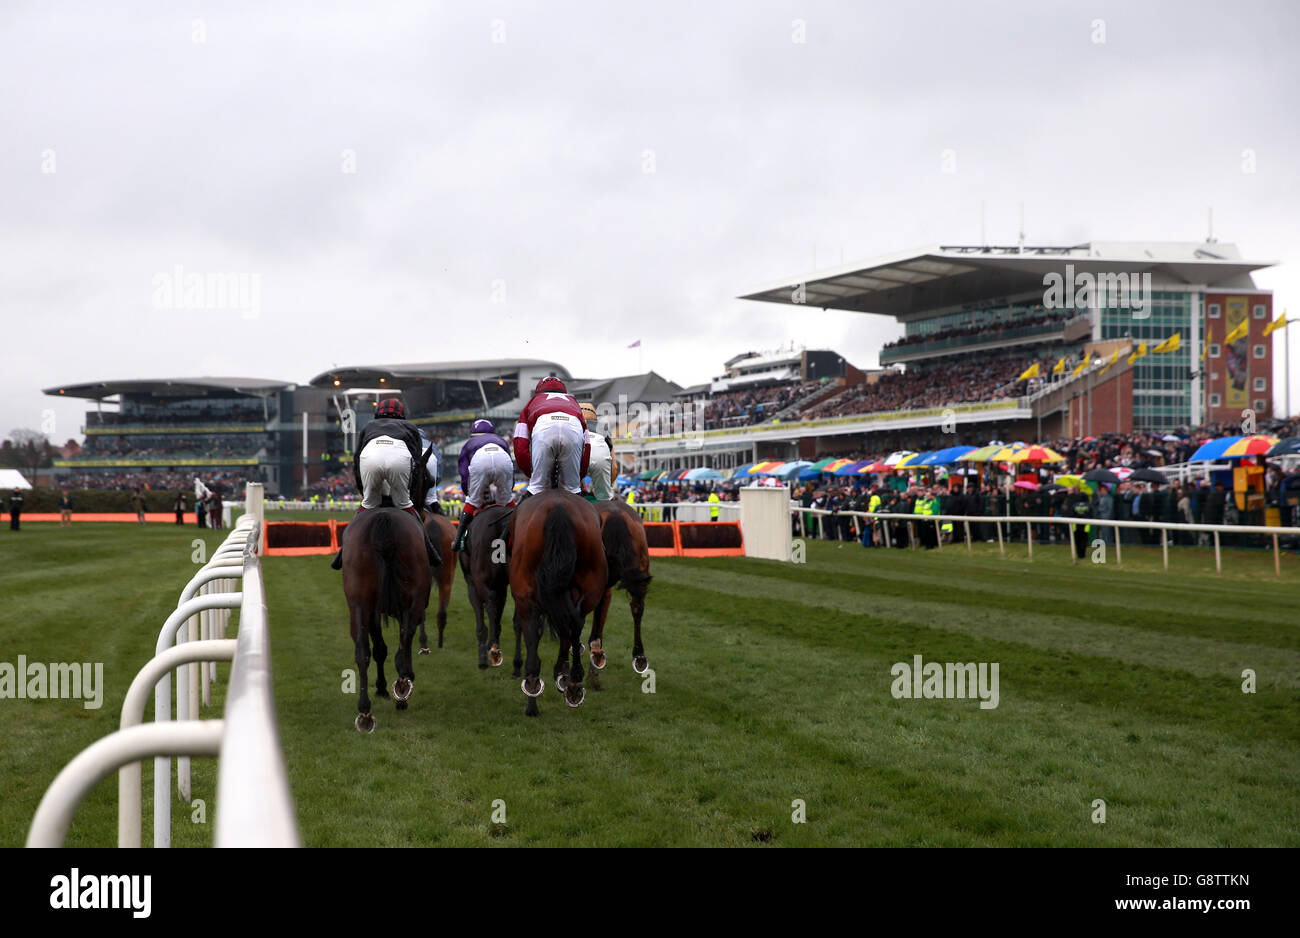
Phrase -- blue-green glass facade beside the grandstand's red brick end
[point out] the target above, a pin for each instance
(1163, 385)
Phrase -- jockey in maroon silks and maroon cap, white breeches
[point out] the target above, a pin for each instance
(552, 433)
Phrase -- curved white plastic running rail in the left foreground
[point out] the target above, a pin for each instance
(254, 806)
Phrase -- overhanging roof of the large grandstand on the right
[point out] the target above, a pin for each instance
(916, 283)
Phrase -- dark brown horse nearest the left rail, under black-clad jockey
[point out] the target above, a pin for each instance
(387, 574)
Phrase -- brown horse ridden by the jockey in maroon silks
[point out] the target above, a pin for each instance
(558, 574)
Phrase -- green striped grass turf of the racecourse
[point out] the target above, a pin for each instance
(772, 684)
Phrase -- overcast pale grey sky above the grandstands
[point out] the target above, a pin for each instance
(419, 183)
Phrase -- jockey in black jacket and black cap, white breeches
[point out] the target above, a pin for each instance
(387, 453)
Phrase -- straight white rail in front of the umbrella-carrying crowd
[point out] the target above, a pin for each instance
(1071, 524)
